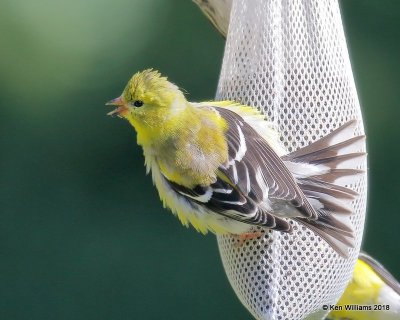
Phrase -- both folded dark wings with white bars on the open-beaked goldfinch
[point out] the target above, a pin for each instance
(252, 184)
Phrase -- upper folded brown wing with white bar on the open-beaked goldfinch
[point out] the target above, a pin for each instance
(258, 172)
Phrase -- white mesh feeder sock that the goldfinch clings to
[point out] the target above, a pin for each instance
(289, 59)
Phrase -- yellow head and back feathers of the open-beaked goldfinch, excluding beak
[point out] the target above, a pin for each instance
(168, 123)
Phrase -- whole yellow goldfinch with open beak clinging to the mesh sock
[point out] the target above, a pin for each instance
(219, 166)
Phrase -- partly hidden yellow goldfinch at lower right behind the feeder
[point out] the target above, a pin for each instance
(372, 294)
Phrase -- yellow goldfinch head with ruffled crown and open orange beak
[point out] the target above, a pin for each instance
(148, 101)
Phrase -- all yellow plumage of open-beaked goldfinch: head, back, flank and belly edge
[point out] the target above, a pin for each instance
(166, 126)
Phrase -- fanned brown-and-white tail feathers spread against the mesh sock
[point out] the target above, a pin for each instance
(322, 170)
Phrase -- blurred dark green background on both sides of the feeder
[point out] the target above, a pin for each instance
(82, 232)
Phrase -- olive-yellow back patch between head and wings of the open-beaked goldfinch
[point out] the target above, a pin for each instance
(193, 153)
